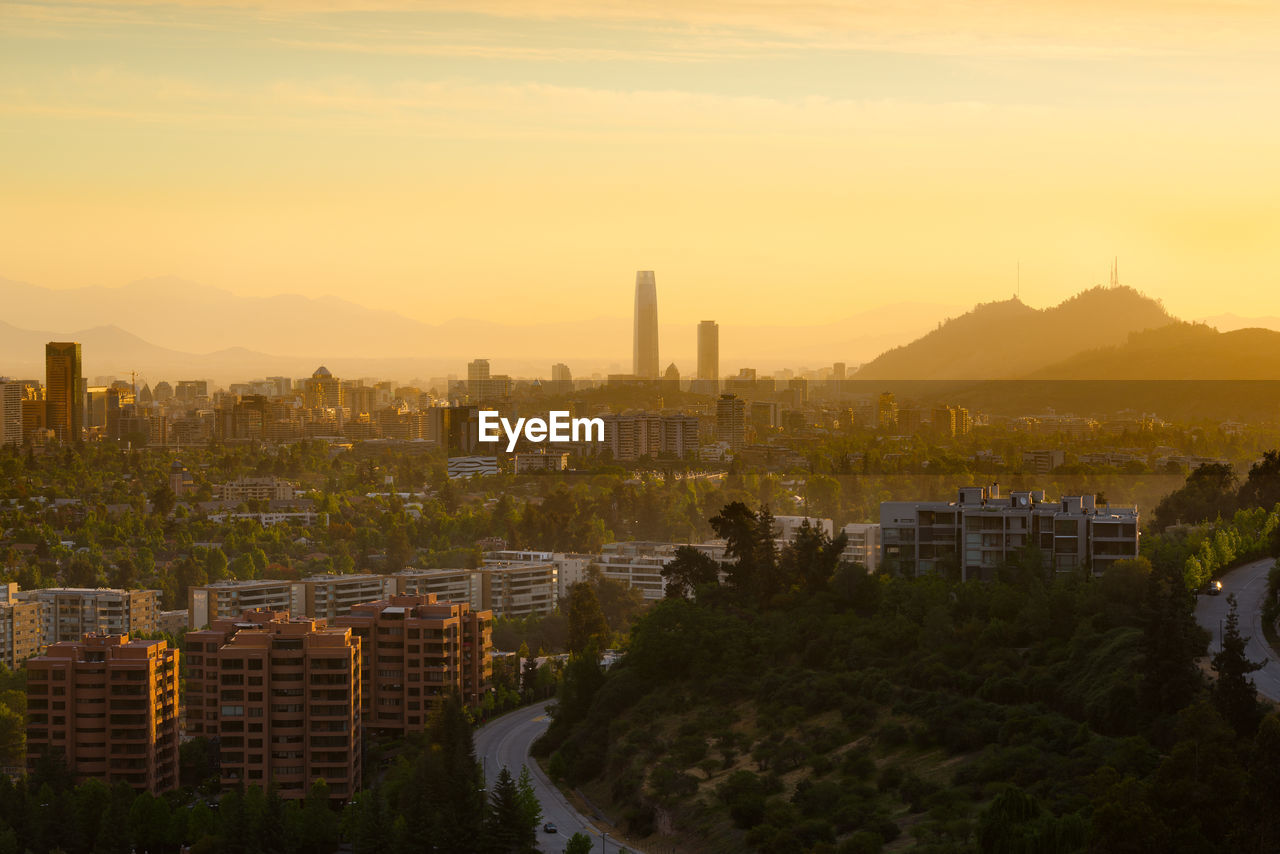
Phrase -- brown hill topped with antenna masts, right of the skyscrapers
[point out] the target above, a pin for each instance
(1011, 340)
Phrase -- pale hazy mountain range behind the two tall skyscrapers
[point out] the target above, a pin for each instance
(179, 319)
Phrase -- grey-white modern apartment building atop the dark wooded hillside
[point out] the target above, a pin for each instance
(981, 531)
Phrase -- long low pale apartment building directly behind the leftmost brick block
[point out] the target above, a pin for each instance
(70, 614)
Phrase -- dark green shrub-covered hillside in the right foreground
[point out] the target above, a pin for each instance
(808, 707)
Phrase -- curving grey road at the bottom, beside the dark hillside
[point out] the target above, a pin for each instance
(505, 742)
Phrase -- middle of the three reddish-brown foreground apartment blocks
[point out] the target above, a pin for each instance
(284, 698)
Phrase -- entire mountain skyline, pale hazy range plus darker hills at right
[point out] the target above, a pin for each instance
(175, 330)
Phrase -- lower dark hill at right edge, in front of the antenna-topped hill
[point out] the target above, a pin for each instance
(1178, 351)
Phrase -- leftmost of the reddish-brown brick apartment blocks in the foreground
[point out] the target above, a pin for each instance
(109, 706)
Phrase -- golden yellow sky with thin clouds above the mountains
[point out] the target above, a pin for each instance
(772, 161)
